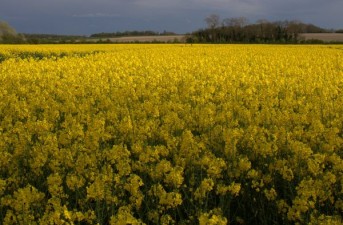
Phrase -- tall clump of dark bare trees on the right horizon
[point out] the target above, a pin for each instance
(238, 30)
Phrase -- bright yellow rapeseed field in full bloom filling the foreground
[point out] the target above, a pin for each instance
(171, 134)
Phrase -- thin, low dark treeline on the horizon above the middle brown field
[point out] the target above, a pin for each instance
(130, 33)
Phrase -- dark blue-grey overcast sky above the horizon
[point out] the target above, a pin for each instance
(92, 16)
